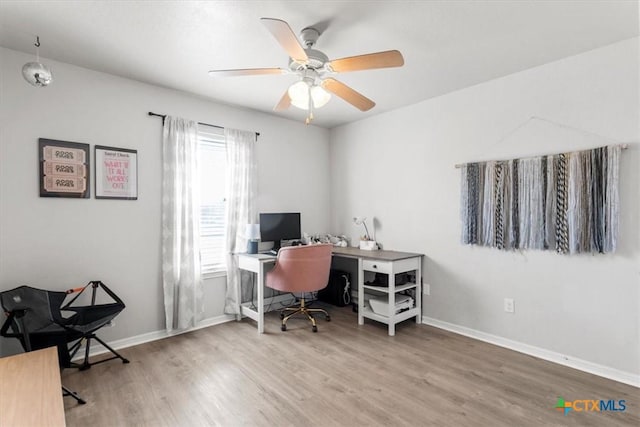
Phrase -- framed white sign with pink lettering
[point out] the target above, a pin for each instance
(116, 173)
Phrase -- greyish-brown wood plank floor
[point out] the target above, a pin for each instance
(228, 375)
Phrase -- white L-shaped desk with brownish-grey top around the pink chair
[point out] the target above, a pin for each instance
(389, 262)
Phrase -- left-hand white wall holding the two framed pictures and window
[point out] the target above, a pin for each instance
(62, 243)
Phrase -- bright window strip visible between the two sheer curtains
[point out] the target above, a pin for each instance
(213, 222)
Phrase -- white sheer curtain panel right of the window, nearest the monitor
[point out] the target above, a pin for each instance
(241, 193)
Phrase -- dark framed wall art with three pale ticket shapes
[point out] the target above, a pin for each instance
(64, 169)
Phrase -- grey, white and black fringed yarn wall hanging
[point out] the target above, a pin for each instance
(565, 202)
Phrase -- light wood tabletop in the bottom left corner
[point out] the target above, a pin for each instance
(30, 389)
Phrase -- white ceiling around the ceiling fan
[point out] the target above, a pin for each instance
(447, 45)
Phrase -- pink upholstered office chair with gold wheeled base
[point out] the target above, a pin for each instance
(301, 269)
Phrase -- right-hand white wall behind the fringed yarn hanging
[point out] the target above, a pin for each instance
(399, 167)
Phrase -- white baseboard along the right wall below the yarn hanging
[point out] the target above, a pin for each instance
(541, 353)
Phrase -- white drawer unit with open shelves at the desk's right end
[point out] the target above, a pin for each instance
(390, 267)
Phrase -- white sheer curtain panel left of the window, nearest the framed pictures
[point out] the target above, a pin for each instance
(181, 278)
